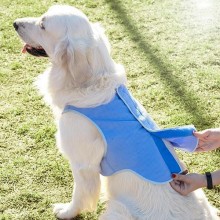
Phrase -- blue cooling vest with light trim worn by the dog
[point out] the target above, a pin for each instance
(133, 141)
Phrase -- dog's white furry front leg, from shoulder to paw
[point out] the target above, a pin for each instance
(80, 141)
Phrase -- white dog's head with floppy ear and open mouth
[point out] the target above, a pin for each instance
(71, 41)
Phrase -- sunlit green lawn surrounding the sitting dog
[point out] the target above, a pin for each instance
(171, 53)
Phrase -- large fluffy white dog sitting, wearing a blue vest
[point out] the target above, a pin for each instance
(83, 74)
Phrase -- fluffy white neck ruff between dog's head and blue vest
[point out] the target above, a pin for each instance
(60, 89)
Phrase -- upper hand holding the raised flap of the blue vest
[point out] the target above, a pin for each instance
(208, 139)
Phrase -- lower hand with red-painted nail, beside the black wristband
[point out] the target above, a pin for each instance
(184, 184)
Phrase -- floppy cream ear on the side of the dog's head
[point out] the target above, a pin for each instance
(72, 55)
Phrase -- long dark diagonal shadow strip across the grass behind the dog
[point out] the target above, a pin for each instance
(178, 88)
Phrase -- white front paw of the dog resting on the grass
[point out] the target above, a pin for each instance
(64, 211)
